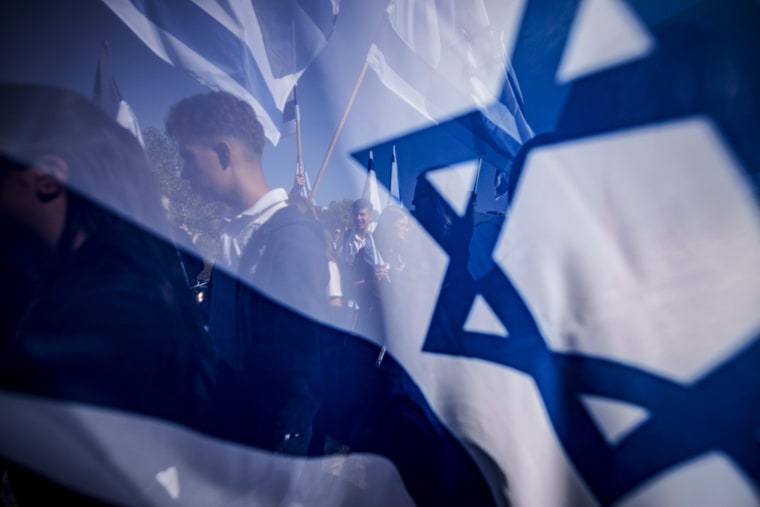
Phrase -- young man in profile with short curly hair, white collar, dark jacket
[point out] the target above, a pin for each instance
(271, 274)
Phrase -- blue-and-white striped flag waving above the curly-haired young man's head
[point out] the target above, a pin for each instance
(255, 50)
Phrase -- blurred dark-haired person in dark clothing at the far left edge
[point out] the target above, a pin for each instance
(106, 319)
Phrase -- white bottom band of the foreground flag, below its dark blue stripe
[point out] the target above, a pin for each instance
(133, 459)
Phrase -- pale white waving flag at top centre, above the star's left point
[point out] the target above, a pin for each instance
(445, 58)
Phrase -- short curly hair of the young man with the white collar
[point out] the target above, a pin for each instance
(213, 115)
